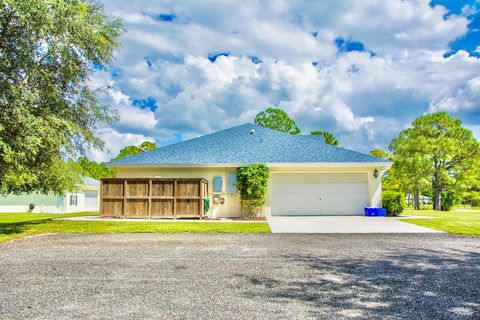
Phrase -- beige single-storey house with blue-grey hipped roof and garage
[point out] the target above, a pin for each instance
(307, 176)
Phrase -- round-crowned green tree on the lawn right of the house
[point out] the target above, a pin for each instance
(439, 149)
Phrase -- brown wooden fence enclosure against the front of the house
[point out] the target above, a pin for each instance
(152, 197)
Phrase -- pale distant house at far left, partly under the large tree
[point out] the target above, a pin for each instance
(85, 199)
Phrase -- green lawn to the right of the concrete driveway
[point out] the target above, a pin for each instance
(466, 223)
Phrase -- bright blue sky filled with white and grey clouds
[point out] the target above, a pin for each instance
(360, 69)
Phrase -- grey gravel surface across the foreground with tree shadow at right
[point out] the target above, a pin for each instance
(201, 276)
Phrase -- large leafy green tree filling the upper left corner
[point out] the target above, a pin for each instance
(48, 113)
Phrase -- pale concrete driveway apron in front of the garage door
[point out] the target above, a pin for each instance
(349, 224)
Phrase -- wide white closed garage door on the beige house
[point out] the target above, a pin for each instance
(318, 194)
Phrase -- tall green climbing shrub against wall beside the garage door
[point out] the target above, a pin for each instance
(252, 183)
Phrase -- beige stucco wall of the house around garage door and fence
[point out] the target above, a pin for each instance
(231, 207)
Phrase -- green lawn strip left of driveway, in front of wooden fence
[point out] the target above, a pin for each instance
(19, 225)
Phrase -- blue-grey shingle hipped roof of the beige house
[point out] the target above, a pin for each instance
(238, 145)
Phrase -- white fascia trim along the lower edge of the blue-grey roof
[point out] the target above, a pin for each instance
(381, 165)
